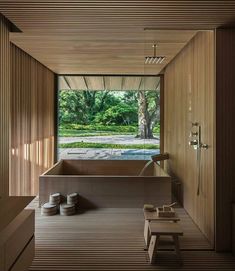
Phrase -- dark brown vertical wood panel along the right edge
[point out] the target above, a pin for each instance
(225, 130)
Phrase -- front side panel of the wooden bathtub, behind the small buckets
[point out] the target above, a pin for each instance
(108, 191)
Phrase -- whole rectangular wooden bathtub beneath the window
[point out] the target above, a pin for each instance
(107, 183)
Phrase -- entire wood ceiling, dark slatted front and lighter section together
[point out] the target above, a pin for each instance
(108, 37)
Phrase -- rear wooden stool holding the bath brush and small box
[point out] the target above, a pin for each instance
(153, 216)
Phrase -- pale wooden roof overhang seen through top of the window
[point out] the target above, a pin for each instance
(116, 83)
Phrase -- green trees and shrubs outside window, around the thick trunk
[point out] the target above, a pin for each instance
(109, 112)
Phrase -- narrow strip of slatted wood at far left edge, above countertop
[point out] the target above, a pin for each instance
(4, 105)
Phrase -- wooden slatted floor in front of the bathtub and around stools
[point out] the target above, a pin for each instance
(112, 239)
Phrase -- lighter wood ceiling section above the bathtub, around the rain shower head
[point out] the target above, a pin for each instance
(95, 52)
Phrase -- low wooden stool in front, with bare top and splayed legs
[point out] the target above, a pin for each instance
(163, 228)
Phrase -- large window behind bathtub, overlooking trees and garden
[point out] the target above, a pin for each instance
(108, 117)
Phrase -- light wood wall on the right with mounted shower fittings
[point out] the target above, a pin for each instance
(190, 97)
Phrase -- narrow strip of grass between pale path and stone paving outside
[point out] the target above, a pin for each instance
(107, 145)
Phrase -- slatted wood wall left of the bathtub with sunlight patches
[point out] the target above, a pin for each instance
(32, 122)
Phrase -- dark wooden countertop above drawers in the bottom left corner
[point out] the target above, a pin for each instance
(10, 207)
